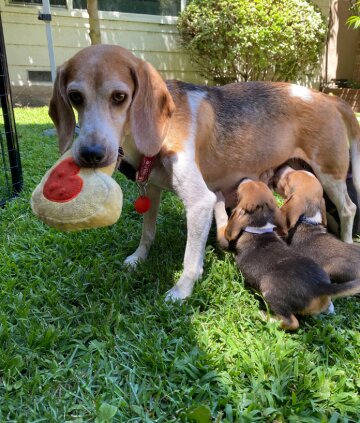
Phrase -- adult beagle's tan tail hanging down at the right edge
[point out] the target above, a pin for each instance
(353, 128)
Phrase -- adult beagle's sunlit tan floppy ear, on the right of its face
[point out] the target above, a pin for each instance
(151, 109)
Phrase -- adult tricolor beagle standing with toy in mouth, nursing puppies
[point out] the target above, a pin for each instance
(204, 138)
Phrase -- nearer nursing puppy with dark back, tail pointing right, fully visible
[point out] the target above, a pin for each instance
(290, 283)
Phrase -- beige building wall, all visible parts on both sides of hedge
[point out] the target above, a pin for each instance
(153, 38)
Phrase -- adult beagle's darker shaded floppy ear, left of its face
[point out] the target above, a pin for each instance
(61, 112)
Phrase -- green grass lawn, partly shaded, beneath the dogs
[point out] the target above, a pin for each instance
(84, 340)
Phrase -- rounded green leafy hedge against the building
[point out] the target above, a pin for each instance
(232, 40)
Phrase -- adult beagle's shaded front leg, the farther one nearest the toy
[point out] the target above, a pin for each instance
(148, 230)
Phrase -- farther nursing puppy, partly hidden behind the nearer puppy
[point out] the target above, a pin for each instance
(304, 212)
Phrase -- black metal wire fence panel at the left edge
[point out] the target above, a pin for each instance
(10, 164)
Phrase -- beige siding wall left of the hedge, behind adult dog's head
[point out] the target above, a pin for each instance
(153, 38)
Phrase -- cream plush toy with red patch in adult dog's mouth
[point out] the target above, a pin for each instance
(71, 198)
